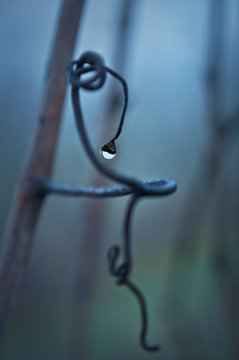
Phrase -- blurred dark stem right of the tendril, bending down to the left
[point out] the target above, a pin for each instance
(198, 199)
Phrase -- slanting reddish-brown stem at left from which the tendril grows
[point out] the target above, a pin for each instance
(39, 163)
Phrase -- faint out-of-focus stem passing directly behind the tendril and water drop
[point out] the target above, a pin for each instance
(88, 248)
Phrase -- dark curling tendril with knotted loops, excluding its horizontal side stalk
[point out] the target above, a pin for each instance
(89, 72)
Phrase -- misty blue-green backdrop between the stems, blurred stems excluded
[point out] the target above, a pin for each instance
(166, 134)
